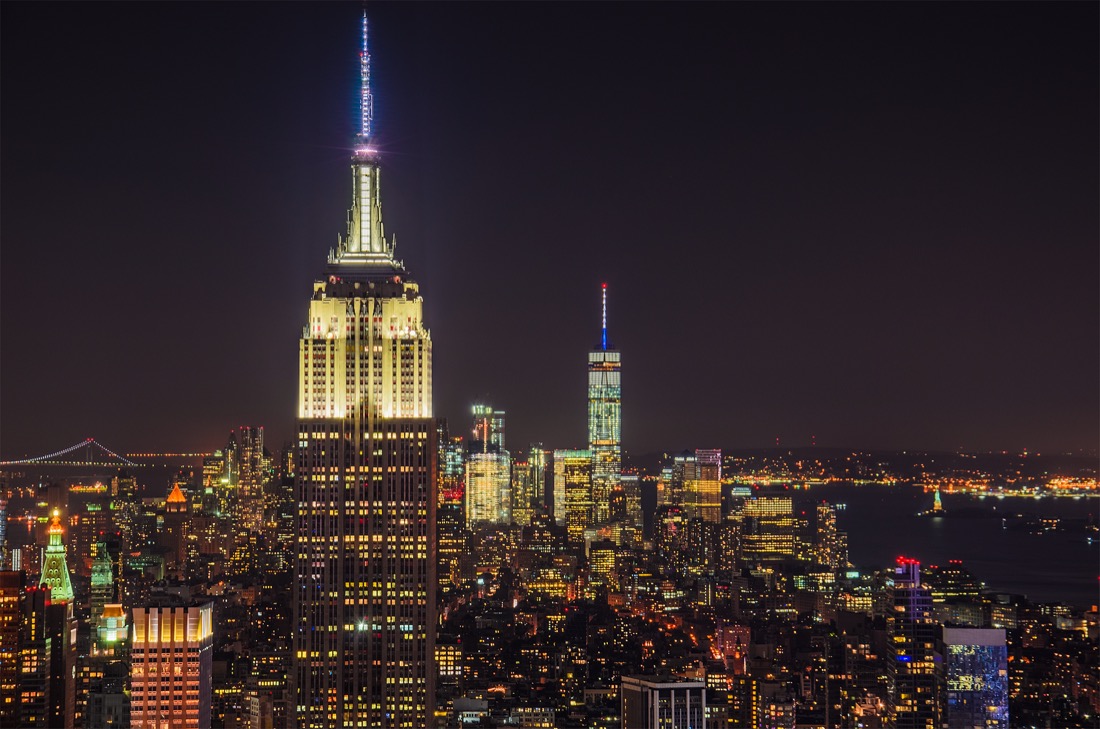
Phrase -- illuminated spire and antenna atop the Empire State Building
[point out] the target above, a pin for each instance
(365, 250)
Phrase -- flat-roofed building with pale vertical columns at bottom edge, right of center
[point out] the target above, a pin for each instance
(657, 703)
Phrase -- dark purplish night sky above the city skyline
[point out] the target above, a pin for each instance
(872, 224)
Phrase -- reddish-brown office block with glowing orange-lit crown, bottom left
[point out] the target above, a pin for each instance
(172, 670)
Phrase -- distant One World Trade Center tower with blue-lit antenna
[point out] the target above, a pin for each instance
(606, 422)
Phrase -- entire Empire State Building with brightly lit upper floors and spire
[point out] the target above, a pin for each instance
(365, 602)
